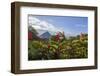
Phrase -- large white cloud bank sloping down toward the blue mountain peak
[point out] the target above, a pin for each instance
(42, 25)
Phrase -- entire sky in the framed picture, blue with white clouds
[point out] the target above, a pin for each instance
(71, 25)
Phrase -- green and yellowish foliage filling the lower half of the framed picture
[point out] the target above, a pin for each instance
(56, 48)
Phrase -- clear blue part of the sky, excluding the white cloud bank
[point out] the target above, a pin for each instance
(69, 24)
